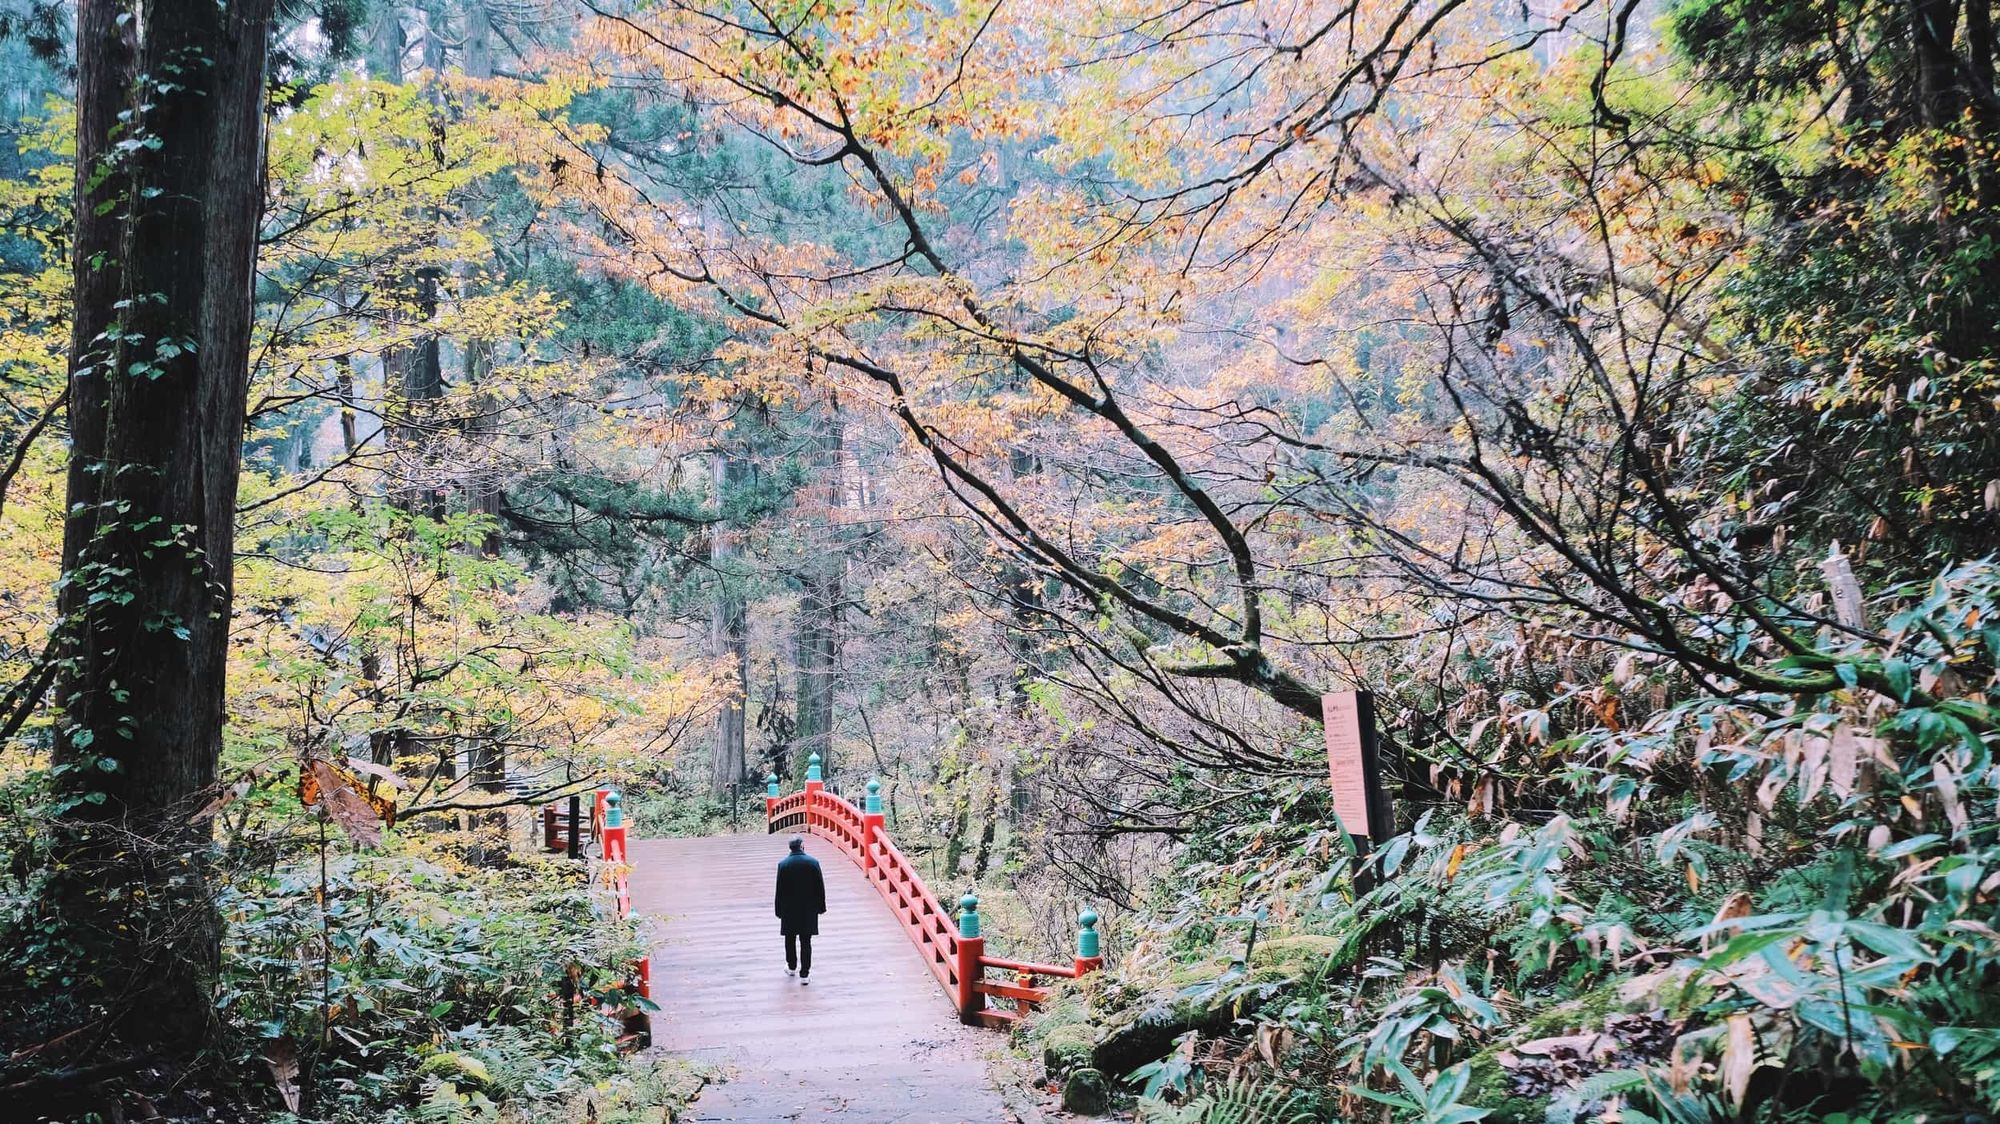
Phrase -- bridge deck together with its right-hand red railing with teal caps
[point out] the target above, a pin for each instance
(883, 1029)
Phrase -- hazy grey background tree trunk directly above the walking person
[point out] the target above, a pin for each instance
(819, 605)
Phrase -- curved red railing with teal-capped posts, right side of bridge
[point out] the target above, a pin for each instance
(955, 953)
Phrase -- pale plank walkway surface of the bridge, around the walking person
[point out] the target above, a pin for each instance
(871, 1039)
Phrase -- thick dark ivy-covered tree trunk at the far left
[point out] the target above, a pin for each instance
(159, 375)
